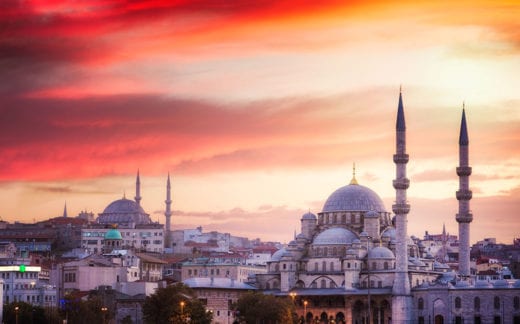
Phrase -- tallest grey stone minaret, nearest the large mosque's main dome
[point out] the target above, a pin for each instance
(401, 296)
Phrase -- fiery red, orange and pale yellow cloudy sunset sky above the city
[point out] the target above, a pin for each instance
(258, 108)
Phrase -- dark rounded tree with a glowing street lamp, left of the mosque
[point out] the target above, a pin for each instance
(175, 304)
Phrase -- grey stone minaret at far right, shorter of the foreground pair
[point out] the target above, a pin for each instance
(464, 217)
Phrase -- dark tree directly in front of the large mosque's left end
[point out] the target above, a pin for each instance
(254, 307)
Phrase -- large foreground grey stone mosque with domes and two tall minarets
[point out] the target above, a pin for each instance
(354, 262)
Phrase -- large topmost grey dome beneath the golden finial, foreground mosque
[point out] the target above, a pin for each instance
(354, 197)
